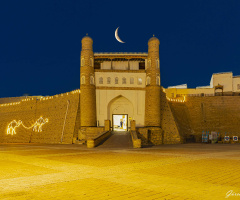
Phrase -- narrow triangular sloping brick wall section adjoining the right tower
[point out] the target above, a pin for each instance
(171, 134)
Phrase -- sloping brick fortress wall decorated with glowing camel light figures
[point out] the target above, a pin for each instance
(30, 111)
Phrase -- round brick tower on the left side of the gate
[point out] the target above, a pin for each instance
(87, 84)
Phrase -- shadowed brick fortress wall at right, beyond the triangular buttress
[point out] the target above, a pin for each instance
(215, 113)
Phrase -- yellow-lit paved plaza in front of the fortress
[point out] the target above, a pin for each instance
(60, 171)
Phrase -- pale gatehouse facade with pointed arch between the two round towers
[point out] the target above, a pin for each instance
(136, 97)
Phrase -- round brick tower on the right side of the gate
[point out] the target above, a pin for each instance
(152, 107)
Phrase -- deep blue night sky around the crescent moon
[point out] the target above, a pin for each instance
(40, 41)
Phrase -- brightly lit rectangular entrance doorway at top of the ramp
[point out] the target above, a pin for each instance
(120, 122)
